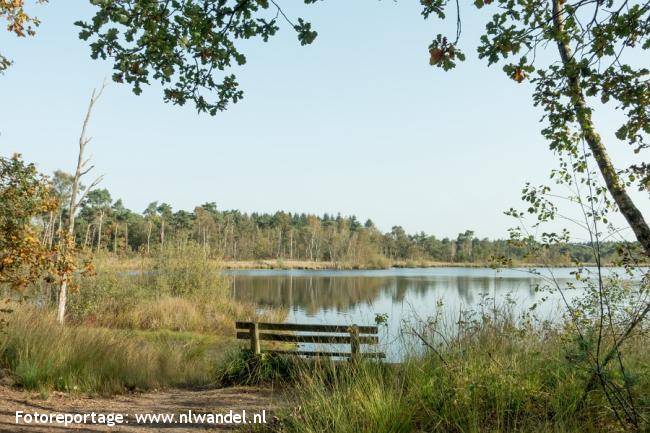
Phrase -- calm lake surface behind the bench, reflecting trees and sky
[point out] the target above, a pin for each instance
(346, 297)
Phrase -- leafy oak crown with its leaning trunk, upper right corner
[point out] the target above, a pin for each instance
(587, 63)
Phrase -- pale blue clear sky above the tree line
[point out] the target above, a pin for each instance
(356, 123)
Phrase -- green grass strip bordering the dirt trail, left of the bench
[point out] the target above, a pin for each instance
(43, 355)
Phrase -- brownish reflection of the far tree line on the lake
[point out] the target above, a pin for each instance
(317, 293)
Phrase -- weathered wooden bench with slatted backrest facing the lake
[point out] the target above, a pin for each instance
(353, 335)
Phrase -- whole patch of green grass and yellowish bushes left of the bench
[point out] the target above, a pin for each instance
(164, 323)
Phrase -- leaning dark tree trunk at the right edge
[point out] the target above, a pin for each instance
(616, 187)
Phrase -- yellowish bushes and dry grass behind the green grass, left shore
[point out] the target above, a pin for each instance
(178, 289)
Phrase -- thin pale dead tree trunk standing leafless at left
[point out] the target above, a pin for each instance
(68, 241)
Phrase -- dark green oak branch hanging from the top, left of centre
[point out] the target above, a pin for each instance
(185, 45)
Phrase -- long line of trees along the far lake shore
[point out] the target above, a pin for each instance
(105, 224)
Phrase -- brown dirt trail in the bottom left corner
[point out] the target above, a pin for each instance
(173, 401)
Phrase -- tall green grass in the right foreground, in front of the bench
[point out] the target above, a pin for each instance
(496, 377)
